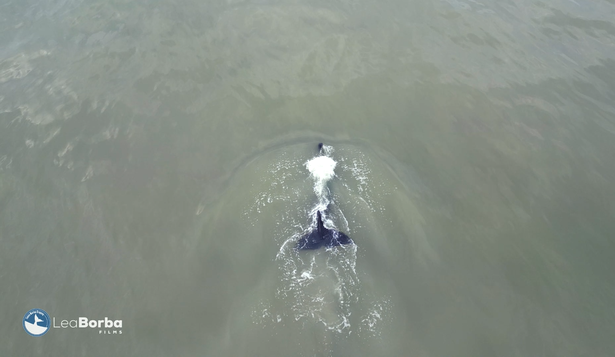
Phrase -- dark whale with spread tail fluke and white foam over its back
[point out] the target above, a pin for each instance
(322, 170)
